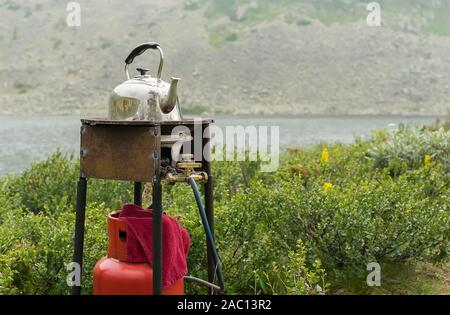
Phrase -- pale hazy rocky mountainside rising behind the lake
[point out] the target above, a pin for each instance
(242, 57)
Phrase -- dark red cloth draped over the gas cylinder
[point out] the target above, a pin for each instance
(175, 240)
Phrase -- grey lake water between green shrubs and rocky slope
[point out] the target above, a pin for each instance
(24, 140)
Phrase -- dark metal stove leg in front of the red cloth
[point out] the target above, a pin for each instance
(157, 238)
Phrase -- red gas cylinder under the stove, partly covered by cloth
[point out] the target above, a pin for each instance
(113, 275)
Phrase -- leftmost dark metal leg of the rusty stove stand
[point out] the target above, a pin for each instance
(79, 229)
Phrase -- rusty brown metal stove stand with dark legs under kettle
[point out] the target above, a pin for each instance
(107, 144)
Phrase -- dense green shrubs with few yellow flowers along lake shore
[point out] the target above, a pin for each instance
(326, 213)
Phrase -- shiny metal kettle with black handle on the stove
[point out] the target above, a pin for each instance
(144, 97)
